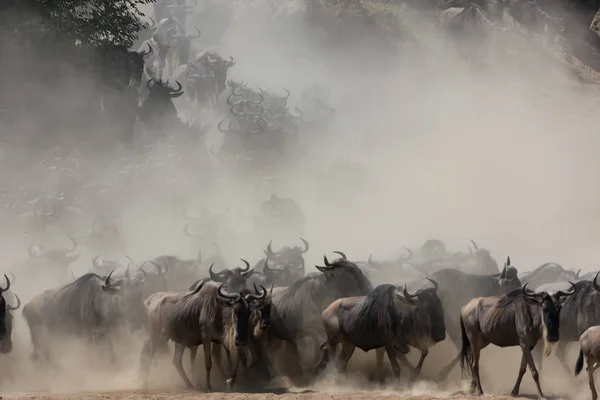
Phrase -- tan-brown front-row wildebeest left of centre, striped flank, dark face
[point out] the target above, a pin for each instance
(201, 316)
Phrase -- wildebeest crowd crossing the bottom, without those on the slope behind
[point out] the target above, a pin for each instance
(250, 312)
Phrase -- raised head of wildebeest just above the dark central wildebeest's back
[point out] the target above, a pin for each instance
(350, 279)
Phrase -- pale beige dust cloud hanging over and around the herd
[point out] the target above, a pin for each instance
(505, 155)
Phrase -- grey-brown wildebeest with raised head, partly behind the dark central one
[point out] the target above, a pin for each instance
(296, 312)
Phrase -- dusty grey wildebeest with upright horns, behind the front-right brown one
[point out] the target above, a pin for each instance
(457, 288)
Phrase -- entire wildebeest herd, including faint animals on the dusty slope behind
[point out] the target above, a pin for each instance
(249, 315)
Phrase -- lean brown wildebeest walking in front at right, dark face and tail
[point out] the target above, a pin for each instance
(519, 318)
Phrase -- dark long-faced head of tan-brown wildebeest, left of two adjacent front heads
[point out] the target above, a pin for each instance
(241, 311)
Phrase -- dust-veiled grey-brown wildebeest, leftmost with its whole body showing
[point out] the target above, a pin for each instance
(90, 308)
